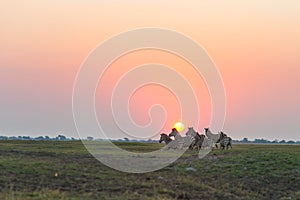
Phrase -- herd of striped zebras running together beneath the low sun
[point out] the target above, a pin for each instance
(194, 140)
